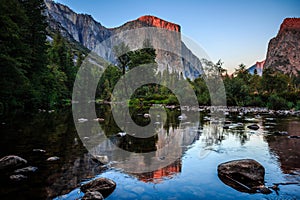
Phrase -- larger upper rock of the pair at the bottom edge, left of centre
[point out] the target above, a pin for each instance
(103, 185)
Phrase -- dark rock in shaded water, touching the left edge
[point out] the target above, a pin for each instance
(11, 162)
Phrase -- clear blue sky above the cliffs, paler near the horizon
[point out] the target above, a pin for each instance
(235, 31)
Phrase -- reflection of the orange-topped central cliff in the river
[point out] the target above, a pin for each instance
(157, 158)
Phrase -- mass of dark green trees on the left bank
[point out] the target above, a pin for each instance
(34, 73)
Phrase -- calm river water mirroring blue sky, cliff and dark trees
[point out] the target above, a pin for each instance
(202, 144)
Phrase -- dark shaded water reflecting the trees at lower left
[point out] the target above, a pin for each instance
(55, 133)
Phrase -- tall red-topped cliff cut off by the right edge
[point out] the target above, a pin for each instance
(283, 50)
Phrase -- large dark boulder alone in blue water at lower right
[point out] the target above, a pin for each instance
(244, 175)
